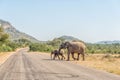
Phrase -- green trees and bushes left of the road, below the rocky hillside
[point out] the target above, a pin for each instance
(7, 45)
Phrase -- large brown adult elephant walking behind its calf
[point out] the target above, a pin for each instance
(73, 47)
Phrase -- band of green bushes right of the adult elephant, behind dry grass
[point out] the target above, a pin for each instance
(103, 48)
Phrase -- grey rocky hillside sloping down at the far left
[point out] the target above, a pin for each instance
(14, 33)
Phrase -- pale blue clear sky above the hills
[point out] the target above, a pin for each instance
(88, 20)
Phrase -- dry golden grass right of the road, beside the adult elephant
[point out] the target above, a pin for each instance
(106, 62)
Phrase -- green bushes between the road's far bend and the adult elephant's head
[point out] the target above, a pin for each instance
(46, 47)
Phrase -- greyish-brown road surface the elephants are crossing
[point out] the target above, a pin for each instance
(30, 66)
